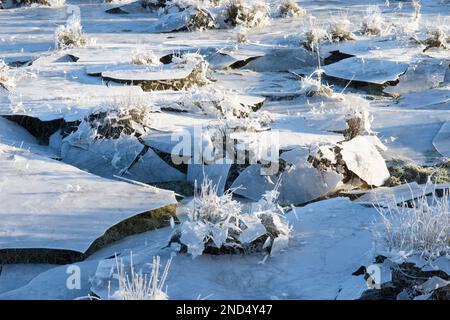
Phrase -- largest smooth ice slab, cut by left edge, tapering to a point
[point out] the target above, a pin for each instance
(47, 204)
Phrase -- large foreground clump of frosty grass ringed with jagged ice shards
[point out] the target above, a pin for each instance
(217, 224)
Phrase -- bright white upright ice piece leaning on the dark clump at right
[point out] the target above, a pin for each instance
(362, 157)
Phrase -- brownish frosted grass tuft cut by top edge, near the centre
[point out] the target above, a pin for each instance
(249, 14)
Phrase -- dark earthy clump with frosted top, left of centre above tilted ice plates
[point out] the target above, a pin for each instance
(129, 116)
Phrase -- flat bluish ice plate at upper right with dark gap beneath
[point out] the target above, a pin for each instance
(372, 71)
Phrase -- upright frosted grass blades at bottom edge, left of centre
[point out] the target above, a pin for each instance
(138, 285)
